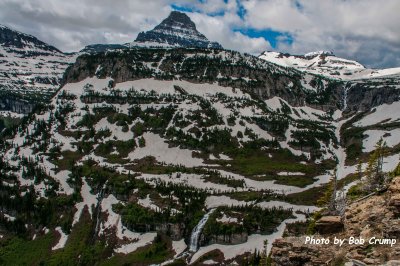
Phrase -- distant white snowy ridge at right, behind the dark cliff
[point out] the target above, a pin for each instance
(327, 64)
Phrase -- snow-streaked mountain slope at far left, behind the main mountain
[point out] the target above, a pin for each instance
(29, 68)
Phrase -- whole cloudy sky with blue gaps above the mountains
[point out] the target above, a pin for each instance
(364, 30)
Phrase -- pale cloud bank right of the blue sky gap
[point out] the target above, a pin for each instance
(355, 29)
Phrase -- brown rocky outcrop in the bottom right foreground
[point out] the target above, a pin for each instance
(376, 216)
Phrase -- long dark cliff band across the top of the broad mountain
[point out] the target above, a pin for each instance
(233, 69)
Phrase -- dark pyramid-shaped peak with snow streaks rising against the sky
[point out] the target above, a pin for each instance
(176, 30)
